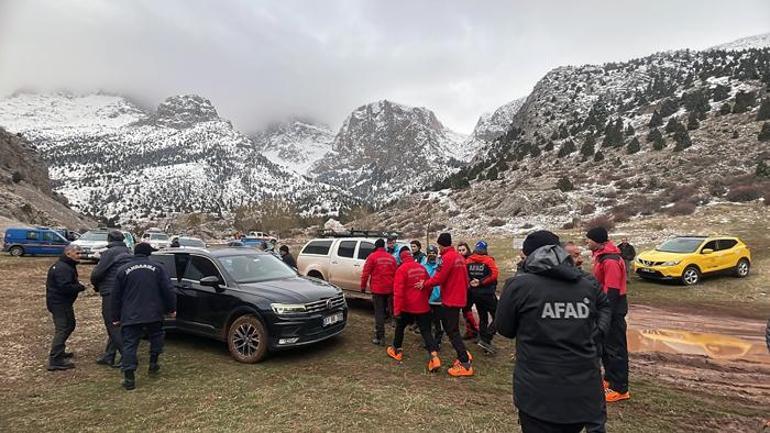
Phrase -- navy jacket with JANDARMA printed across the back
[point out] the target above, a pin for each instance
(142, 293)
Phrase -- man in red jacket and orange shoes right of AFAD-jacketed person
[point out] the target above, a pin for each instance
(610, 271)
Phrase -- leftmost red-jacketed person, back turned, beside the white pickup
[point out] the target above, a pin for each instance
(379, 271)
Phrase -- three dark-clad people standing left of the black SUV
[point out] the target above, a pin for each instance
(136, 294)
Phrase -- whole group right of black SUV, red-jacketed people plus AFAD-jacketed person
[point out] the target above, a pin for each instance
(569, 325)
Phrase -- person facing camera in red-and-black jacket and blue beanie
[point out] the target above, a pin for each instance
(483, 272)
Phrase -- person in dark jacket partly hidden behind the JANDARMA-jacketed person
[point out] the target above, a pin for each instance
(103, 279)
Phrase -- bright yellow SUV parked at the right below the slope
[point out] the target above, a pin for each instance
(688, 258)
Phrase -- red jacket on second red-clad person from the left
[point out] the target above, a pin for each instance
(406, 297)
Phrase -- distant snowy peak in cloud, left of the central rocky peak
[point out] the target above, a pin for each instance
(295, 145)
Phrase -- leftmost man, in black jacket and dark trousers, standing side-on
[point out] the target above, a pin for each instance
(61, 290)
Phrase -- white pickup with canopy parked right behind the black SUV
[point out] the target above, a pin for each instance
(339, 260)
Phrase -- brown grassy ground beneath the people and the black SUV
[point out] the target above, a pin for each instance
(346, 384)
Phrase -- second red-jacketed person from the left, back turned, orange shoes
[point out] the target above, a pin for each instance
(410, 305)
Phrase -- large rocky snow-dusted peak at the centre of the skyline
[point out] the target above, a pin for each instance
(384, 150)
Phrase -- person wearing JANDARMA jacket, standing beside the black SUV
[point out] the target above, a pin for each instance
(142, 295)
